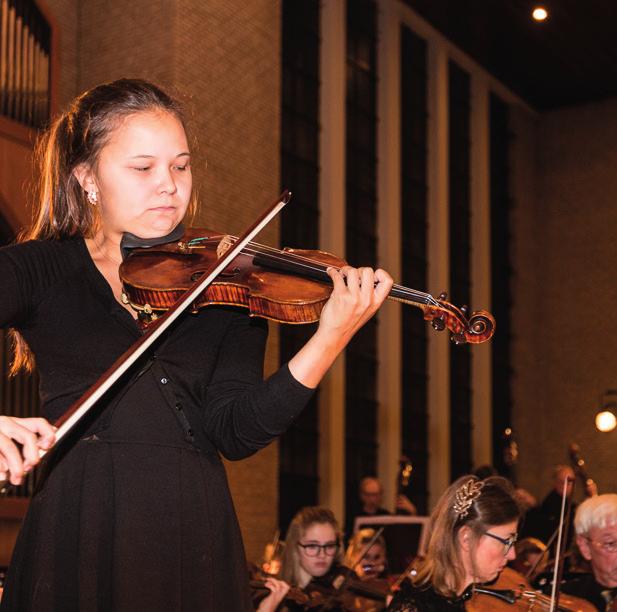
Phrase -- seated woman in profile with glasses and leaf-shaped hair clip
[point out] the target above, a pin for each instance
(473, 530)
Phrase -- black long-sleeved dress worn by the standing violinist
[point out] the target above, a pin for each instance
(135, 513)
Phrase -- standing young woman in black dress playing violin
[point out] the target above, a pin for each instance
(135, 514)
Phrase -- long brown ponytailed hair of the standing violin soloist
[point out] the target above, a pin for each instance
(61, 209)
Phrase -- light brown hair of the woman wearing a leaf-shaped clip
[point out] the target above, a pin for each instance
(494, 505)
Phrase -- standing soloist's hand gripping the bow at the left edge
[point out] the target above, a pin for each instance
(33, 434)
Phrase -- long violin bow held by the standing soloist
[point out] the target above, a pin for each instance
(82, 406)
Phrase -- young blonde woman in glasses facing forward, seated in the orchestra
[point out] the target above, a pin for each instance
(311, 558)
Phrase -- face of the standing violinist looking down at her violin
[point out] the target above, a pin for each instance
(143, 176)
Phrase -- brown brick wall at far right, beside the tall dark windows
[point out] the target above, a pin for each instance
(565, 291)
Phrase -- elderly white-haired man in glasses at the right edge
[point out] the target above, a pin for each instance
(595, 524)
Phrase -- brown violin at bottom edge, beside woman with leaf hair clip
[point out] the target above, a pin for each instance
(511, 591)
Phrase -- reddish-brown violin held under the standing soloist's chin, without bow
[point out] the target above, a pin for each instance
(285, 285)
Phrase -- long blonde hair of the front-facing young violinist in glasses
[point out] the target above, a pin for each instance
(311, 515)
